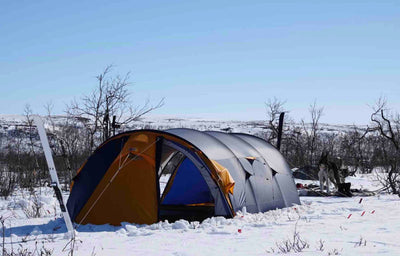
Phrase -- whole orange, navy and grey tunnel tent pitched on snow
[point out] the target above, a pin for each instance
(144, 176)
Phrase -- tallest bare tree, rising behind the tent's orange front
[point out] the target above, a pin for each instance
(108, 106)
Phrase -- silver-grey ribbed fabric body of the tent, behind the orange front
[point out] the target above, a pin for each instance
(263, 179)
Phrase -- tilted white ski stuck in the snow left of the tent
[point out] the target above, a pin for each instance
(53, 173)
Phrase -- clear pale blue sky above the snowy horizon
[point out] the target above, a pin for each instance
(208, 59)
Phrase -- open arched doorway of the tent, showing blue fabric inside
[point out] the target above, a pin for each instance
(184, 193)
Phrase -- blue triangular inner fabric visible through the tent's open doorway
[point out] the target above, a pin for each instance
(189, 186)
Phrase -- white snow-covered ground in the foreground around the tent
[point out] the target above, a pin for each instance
(345, 226)
